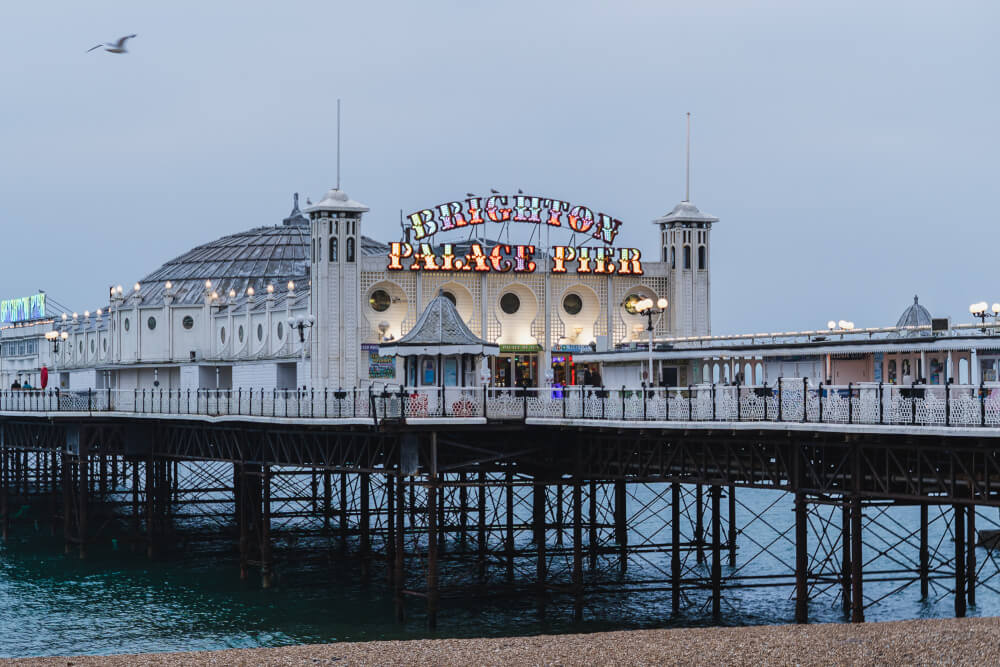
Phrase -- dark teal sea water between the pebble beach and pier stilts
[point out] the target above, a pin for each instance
(117, 601)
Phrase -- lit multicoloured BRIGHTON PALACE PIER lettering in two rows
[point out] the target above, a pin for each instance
(418, 253)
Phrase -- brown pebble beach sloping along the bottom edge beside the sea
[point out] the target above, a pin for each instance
(971, 641)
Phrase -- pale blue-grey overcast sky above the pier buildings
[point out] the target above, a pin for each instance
(848, 148)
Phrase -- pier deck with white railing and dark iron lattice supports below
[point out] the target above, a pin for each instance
(573, 492)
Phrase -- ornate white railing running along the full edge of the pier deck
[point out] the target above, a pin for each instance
(787, 400)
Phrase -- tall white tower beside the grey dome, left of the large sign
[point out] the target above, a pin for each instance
(335, 224)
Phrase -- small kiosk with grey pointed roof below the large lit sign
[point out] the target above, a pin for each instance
(440, 350)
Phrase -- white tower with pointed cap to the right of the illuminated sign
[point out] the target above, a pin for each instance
(685, 239)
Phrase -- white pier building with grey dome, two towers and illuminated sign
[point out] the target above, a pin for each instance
(313, 302)
